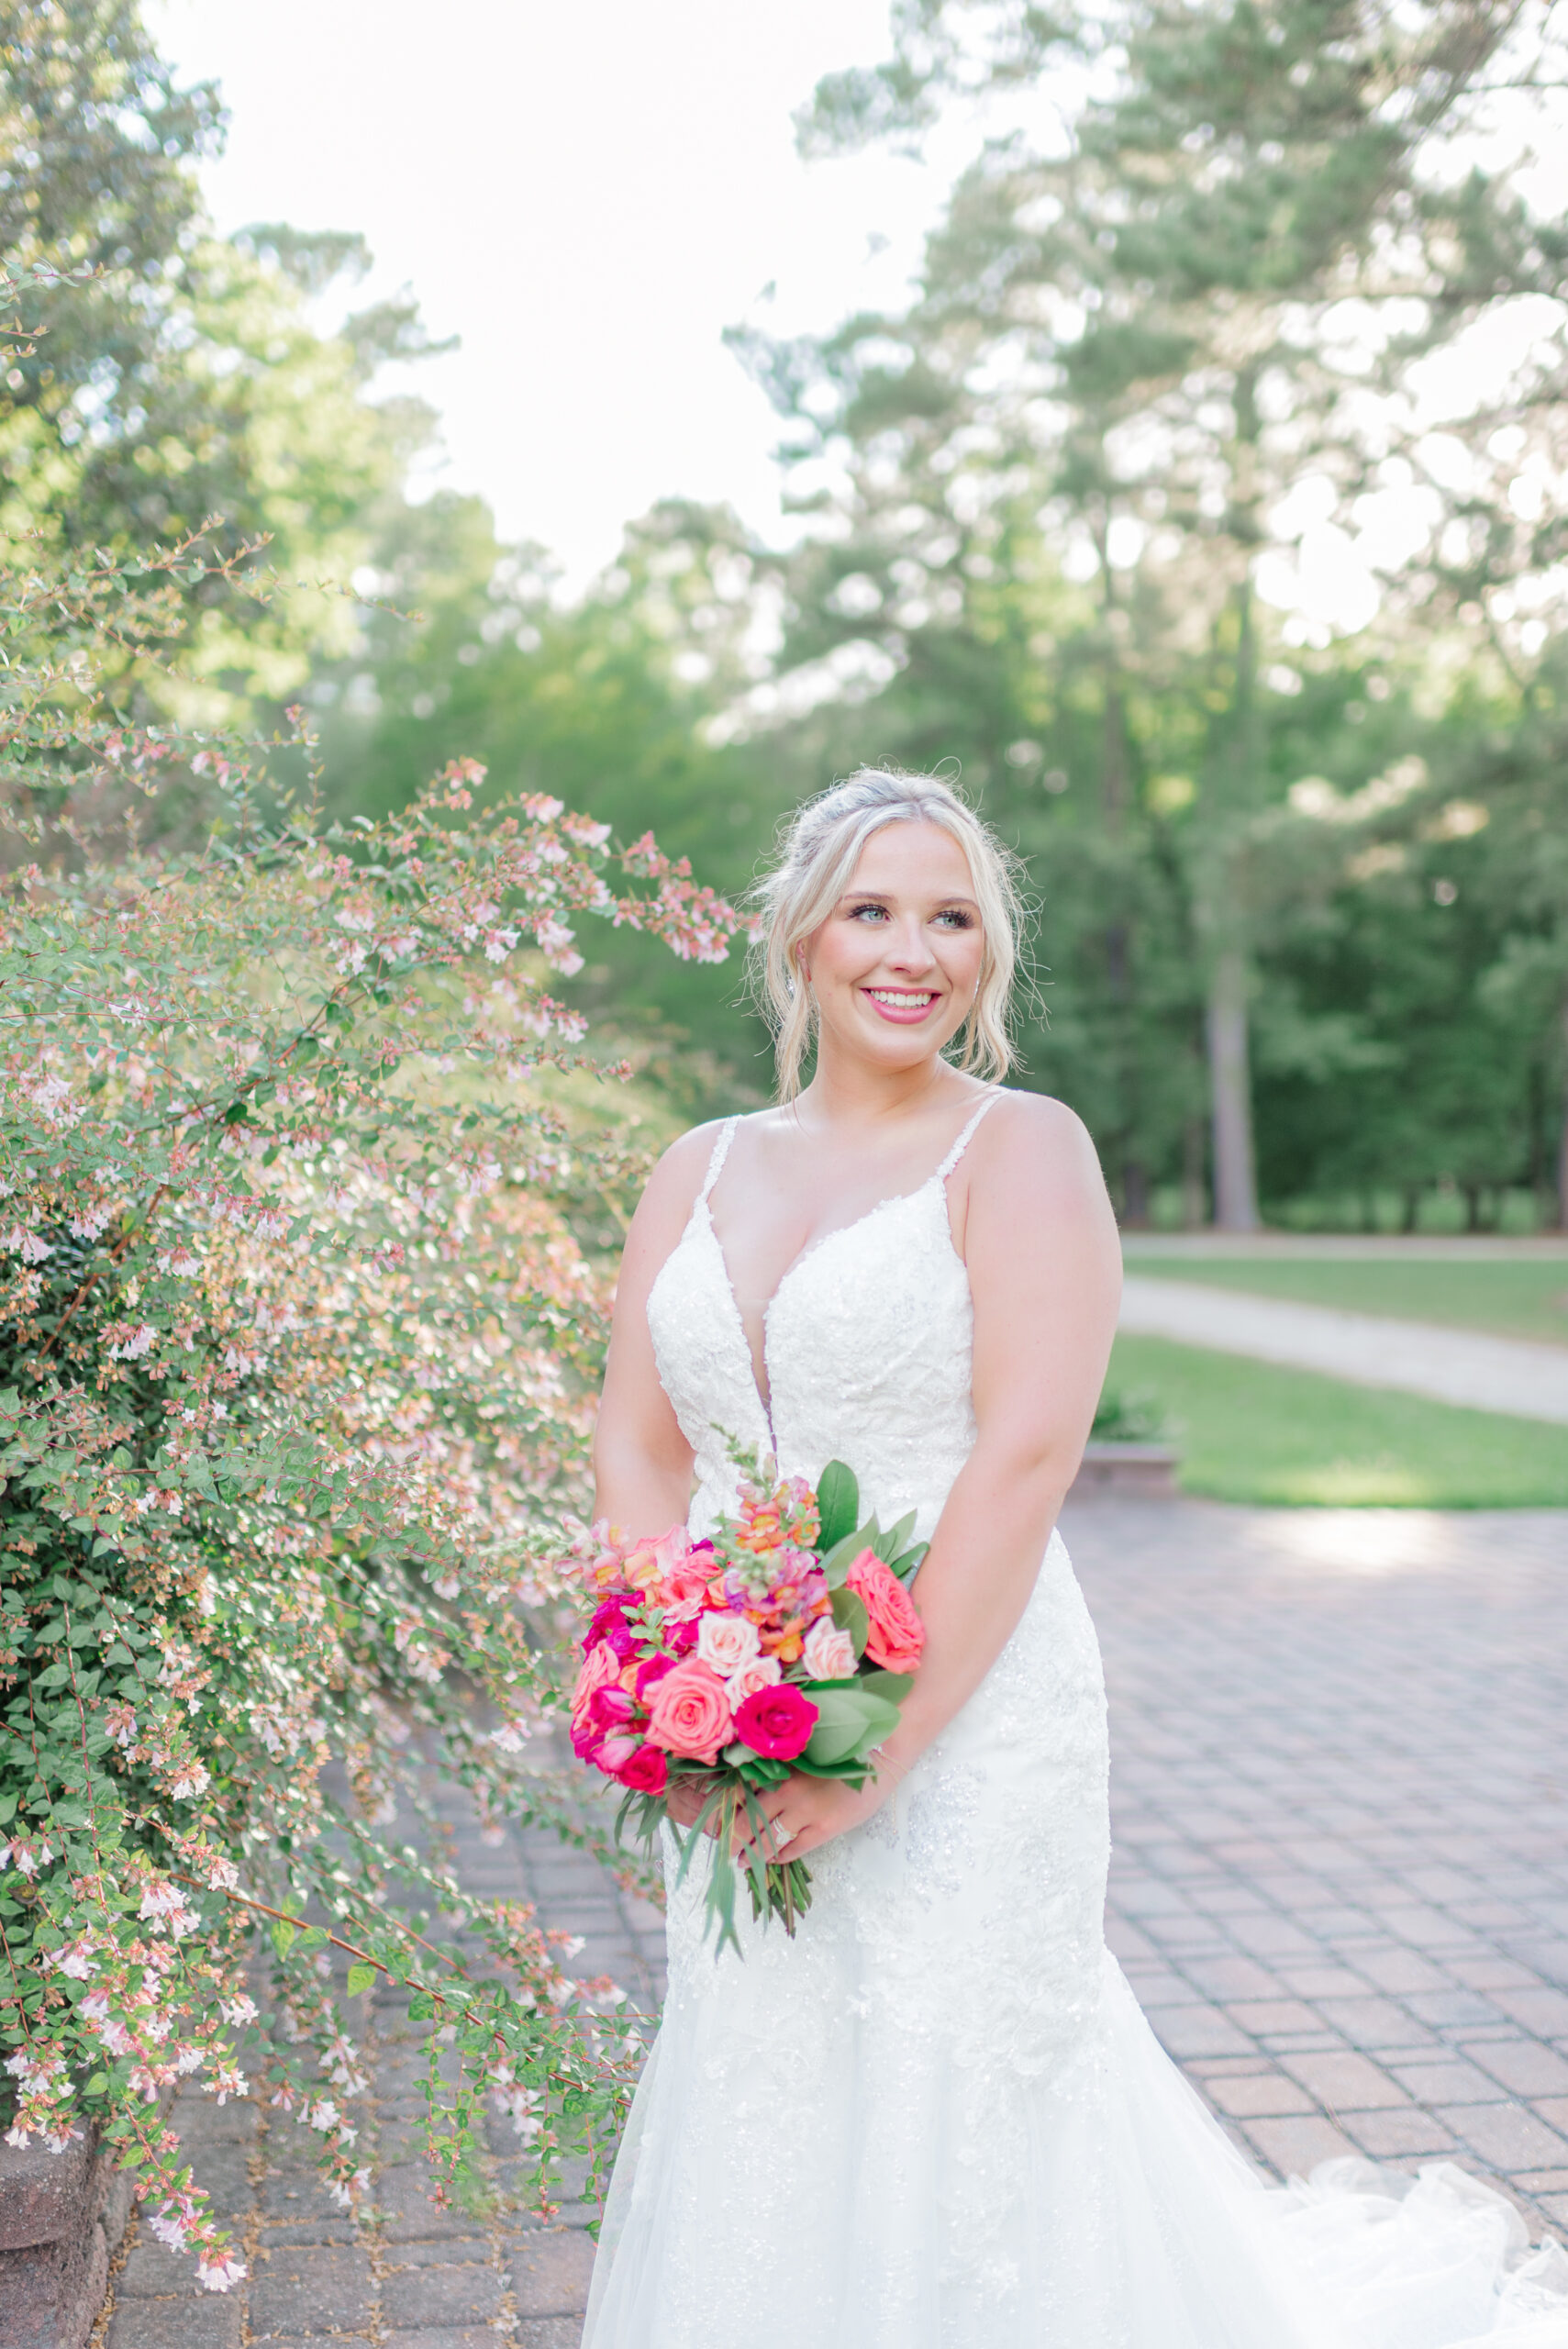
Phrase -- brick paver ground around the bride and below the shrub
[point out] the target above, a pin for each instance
(1339, 1887)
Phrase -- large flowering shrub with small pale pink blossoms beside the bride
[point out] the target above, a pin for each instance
(297, 1366)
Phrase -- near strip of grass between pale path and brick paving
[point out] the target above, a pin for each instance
(1250, 1432)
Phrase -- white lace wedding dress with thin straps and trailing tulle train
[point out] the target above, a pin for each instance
(938, 2120)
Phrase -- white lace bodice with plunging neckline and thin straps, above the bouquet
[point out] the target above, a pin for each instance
(867, 1345)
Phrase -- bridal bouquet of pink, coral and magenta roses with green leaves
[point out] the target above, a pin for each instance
(780, 1643)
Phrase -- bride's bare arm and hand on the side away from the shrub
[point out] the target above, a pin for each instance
(1046, 1272)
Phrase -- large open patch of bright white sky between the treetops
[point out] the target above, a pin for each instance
(588, 191)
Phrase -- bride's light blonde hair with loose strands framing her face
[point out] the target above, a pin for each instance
(818, 854)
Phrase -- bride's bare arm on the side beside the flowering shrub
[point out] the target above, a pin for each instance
(642, 1462)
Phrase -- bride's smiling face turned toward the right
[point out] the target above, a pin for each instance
(898, 962)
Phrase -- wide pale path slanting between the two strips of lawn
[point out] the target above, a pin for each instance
(1480, 1373)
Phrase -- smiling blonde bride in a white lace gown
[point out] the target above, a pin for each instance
(938, 2120)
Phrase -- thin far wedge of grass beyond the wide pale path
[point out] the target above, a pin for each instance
(1510, 1298)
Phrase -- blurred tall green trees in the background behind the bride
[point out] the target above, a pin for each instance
(1302, 896)
